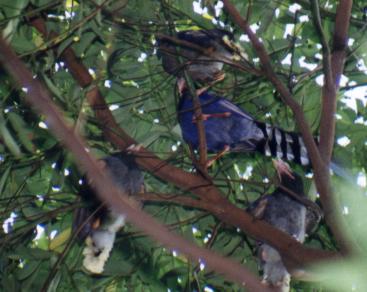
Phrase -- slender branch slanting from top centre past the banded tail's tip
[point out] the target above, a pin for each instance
(322, 177)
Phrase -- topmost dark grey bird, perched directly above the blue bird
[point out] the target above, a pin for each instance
(202, 51)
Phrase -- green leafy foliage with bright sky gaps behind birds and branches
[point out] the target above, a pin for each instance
(115, 40)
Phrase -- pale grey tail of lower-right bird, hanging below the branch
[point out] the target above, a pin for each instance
(275, 274)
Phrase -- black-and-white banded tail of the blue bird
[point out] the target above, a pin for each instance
(281, 144)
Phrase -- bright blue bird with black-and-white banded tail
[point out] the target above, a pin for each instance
(229, 128)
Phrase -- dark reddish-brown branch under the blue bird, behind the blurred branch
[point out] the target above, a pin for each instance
(289, 247)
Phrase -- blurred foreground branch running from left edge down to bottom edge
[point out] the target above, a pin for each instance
(38, 97)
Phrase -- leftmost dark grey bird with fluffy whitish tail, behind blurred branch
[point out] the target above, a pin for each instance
(96, 223)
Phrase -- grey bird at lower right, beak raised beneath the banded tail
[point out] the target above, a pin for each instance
(284, 210)
